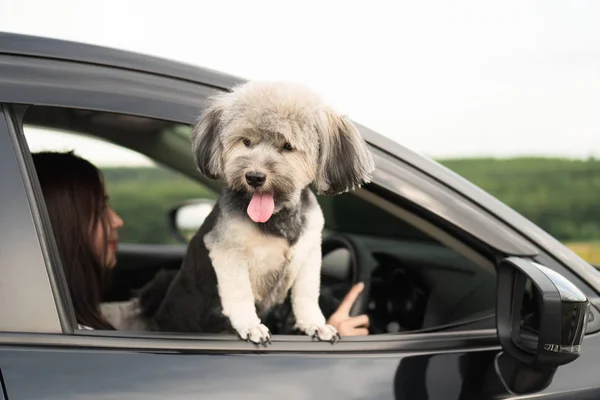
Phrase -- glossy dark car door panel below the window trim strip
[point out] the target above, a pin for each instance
(81, 374)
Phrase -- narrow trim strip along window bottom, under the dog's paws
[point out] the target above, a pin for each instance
(434, 343)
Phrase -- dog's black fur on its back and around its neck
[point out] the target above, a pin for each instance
(190, 301)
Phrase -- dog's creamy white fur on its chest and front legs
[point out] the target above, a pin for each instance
(245, 255)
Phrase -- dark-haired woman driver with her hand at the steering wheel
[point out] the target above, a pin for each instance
(86, 232)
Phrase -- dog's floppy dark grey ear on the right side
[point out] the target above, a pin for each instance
(345, 162)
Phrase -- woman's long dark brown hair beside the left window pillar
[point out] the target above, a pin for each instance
(73, 190)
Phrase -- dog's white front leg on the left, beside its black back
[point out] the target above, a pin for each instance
(237, 298)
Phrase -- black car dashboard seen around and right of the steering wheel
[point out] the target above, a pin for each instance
(414, 286)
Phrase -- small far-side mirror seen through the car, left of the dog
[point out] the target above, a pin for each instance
(187, 217)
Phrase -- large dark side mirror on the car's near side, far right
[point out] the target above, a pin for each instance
(541, 319)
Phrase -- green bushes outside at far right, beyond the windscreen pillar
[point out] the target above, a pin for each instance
(559, 195)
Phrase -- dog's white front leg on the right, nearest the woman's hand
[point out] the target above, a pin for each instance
(305, 299)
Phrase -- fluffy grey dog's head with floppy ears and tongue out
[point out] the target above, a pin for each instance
(271, 140)
